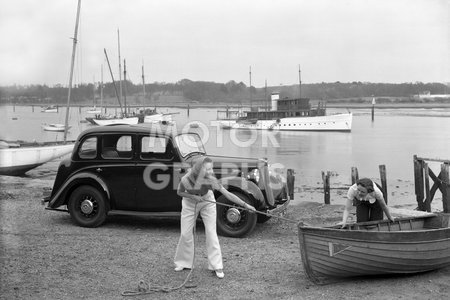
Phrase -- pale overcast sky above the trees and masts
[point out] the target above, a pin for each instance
(218, 40)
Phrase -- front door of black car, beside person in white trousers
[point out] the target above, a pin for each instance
(159, 174)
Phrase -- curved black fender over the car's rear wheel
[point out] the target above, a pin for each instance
(80, 178)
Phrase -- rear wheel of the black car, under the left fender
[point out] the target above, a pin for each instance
(87, 206)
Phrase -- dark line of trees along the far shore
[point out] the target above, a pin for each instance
(211, 92)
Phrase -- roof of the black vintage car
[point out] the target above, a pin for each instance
(167, 130)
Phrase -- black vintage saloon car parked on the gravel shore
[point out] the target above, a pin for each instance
(135, 170)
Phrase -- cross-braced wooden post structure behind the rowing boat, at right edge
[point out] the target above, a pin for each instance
(422, 175)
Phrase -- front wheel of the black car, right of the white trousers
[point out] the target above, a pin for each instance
(234, 221)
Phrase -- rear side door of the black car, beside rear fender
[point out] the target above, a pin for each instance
(117, 169)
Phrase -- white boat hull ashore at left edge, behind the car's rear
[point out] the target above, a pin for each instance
(18, 158)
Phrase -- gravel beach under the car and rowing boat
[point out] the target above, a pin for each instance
(45, 256)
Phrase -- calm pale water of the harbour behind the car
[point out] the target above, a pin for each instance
(392, 139)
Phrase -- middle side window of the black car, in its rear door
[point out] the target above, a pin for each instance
(117, 146)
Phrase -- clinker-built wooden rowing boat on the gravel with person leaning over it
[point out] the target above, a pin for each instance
(408, 245)
